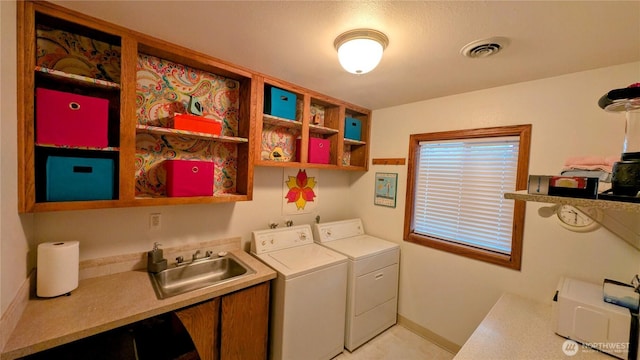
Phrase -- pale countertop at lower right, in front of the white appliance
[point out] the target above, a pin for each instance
(519, 328)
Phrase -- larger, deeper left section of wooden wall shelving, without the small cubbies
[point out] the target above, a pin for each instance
(121, 50)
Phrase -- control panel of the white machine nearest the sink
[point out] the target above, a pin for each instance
(264, 241)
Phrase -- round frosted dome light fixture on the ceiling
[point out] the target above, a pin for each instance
(360, 50)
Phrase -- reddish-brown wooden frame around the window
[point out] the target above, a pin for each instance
(512, 261)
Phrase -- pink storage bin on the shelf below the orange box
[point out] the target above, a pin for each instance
(189, 178)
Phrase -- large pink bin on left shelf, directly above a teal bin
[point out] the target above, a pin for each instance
(69, 119)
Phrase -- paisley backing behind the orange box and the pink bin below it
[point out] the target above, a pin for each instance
(164, 88)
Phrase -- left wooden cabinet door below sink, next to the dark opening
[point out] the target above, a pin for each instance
(201, 322)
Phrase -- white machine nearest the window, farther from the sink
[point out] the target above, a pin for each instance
(372, 287)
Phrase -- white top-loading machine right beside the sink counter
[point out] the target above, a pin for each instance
(308, 297)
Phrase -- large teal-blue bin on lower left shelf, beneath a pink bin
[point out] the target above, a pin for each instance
(76, 178)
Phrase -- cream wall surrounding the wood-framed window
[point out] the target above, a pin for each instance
(449, 294)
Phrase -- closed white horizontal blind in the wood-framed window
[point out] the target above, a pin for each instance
(459, 192)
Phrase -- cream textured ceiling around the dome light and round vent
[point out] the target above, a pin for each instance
(293, 40)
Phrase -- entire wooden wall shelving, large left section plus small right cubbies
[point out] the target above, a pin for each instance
(135, 130)
